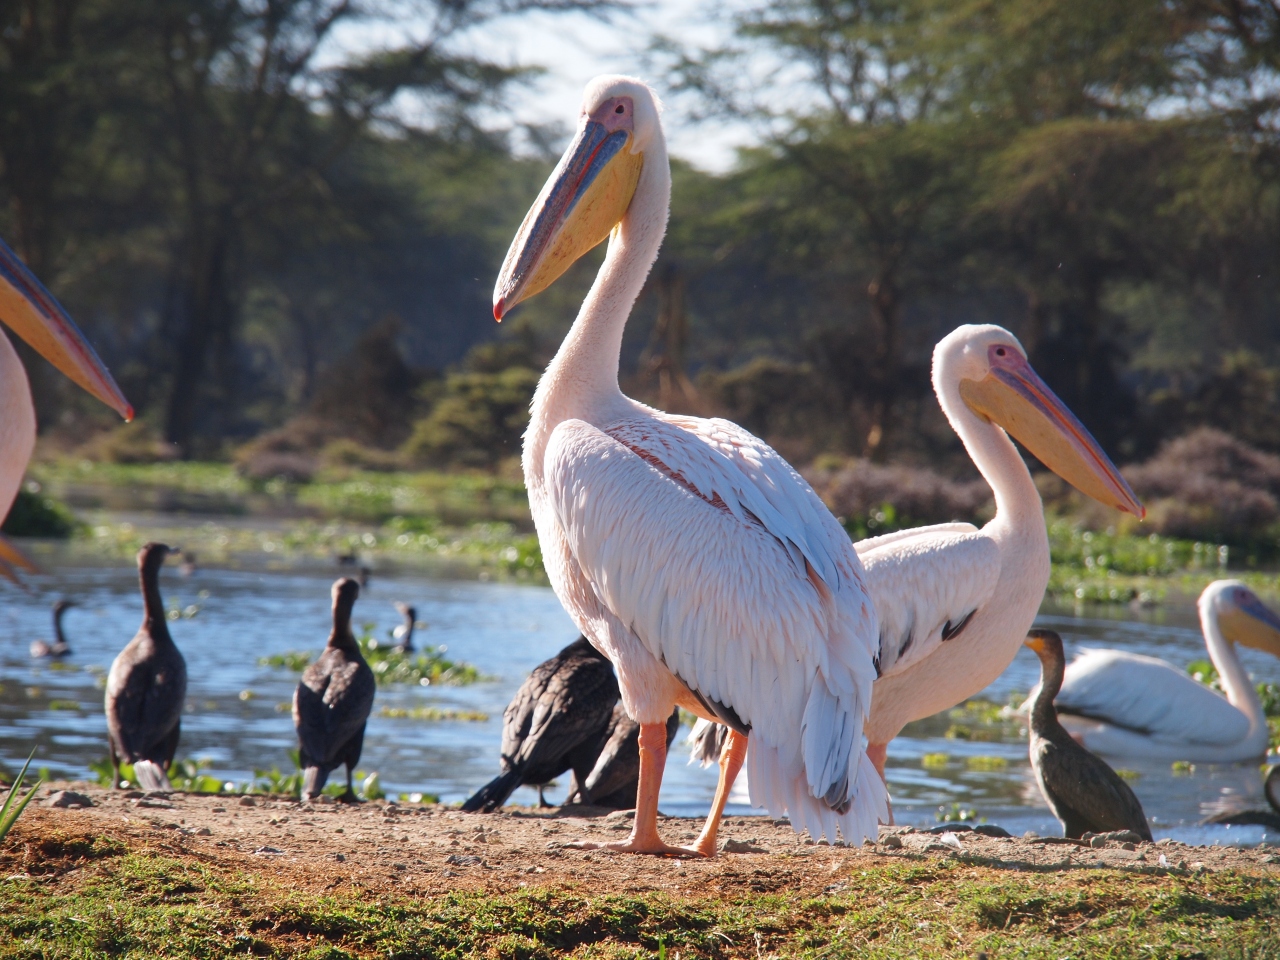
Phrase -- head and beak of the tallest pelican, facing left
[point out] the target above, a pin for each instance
(589, 193)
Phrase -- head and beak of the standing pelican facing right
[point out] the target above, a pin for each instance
(998, 385)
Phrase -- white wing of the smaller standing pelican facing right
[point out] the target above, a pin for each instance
(927, 584)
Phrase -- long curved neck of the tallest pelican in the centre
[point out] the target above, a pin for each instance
(583, 381)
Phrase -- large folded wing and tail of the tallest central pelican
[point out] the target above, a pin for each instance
(724, 564)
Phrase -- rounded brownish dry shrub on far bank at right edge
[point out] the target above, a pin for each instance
(1209, 486)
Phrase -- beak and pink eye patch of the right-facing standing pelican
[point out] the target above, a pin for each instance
(1013, 396)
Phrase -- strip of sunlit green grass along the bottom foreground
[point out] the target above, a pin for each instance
(122, 904)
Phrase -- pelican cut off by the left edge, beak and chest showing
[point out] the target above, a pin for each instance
(31, 312)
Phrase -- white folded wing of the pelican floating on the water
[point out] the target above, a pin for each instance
(1149, 697)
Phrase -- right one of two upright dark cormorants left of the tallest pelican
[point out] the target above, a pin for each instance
(333, 700)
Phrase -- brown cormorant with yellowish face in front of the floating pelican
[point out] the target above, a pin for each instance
(1082, 792)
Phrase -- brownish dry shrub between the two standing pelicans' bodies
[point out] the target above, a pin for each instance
(857, 488)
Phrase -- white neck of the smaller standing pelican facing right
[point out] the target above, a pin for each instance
(1018, 504)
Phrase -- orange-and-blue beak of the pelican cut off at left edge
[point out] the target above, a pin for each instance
(31, 312)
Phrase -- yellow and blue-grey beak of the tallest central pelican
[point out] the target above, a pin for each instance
(583, 202)
